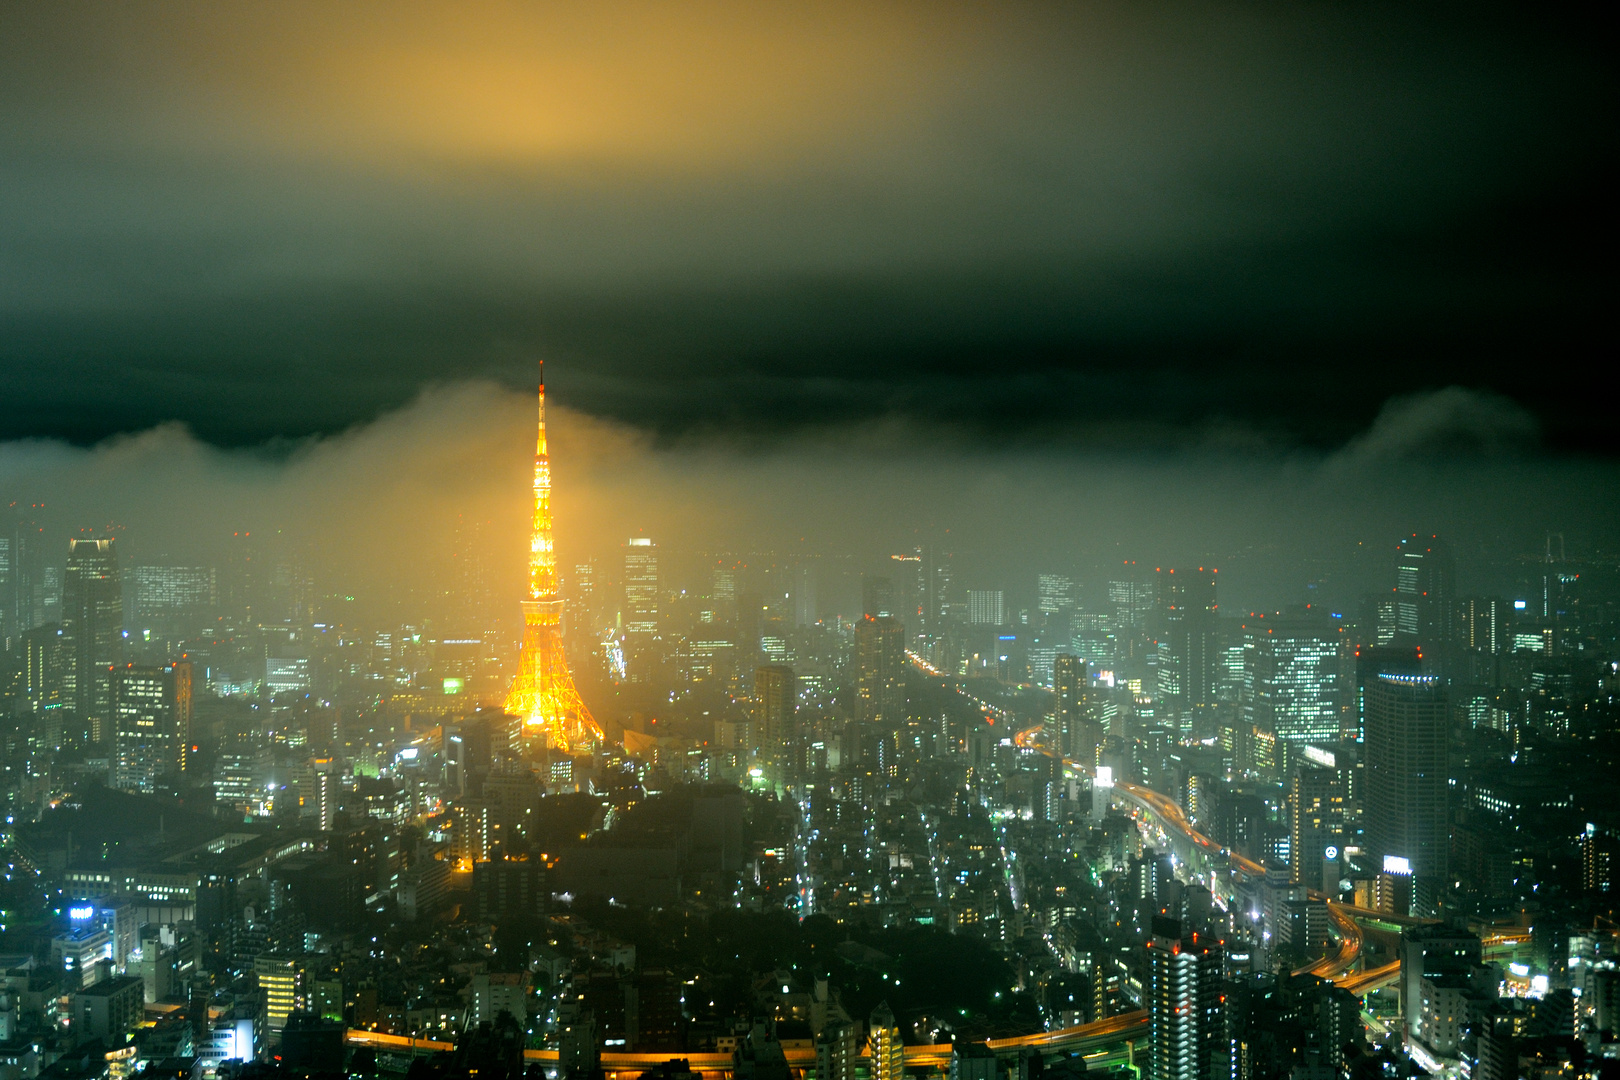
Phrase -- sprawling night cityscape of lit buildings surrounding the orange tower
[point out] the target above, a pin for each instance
(1083, 823)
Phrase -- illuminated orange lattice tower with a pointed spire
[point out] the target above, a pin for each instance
(544, 691)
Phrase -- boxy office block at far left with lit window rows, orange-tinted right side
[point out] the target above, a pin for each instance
(151, 725)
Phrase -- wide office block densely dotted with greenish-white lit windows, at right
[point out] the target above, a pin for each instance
(1292, 678)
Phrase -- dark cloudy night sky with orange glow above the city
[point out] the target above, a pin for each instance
(1190, 237)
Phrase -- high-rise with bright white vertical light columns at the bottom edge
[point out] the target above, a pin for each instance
(1187, 1006)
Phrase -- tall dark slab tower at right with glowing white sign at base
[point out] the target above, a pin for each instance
(1407, 776)
